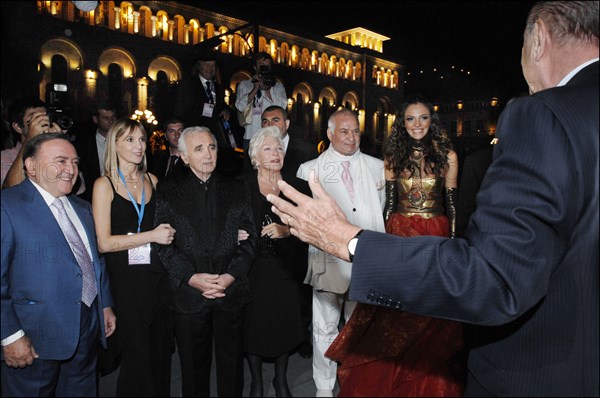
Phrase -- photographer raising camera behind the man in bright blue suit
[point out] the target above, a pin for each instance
(28, 118)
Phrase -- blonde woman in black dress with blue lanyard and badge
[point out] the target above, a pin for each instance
(123, 206)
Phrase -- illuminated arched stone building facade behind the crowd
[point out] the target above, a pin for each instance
(134, 53)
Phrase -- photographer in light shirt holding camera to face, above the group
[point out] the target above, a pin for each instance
(260, 92)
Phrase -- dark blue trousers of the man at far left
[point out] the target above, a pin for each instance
(73, 377)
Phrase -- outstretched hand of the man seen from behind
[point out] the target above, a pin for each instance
(318, 221)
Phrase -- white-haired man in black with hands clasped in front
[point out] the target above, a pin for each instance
(207, 267)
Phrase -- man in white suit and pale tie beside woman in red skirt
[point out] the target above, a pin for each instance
(356, 181)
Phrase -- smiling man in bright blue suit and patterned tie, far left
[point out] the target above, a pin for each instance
(56, 299)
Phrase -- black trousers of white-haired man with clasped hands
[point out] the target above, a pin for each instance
(195, 334)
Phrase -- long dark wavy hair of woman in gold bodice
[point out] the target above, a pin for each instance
(399, 145)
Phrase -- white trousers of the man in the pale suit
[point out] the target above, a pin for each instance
(327, 310)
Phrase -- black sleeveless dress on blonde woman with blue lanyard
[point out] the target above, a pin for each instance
(143, 338)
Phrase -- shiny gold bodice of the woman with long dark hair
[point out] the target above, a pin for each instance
(420, 196)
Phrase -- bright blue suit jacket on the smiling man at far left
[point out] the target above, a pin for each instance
(41, 280)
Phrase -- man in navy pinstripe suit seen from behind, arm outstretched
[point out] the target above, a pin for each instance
(526, 276)
